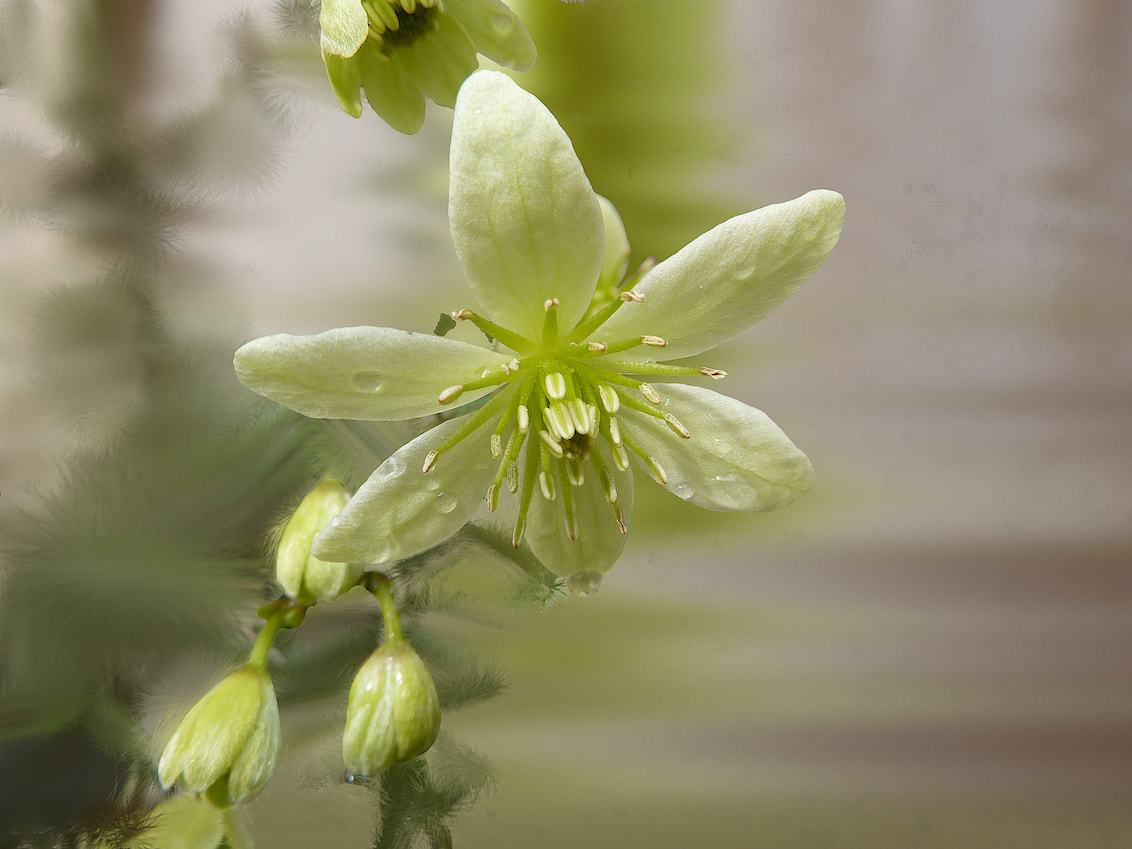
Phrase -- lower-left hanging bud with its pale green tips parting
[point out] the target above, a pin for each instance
(226, 749)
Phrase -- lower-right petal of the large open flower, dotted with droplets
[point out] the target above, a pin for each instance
(736, 460)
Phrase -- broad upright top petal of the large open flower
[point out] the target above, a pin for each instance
(525, 220)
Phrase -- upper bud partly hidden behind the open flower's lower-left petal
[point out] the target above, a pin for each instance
(302, 574)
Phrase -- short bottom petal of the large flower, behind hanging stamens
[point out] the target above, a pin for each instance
(601, 539)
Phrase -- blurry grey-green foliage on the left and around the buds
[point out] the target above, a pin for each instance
(132, 569)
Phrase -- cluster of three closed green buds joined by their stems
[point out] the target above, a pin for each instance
(226, 749)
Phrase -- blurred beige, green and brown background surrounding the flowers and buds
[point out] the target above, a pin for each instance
(932, 649)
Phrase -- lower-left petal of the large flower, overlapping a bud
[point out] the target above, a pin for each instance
(401, 511)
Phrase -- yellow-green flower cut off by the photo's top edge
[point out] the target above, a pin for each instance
(402, 52)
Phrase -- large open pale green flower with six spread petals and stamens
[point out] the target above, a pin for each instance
(567, 413)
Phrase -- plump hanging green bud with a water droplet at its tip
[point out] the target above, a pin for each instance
(393, 714)
